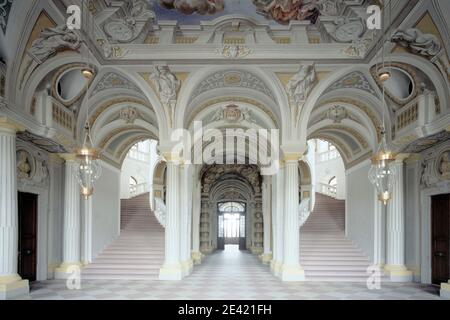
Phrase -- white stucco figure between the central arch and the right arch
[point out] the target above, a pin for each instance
(301, 84)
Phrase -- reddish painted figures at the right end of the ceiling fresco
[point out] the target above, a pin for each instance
(283, 11)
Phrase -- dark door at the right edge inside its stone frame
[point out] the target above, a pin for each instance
(440, 238)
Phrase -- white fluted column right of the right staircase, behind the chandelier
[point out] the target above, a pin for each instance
(395, 228)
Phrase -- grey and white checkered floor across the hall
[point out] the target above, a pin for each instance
(226, 275)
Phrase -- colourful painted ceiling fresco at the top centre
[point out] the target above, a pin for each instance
(191, 12)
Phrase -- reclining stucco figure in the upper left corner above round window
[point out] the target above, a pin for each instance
(51, 40)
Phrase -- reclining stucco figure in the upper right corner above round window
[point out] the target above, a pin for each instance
(417, 42)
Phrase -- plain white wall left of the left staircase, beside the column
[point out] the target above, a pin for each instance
(105, 209)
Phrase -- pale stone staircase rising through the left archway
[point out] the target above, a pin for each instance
(138, 252)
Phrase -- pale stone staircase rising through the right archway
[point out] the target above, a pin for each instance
(326, 253)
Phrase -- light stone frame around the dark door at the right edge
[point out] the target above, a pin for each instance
(425, 230)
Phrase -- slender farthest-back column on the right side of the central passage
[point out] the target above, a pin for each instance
(266, 257)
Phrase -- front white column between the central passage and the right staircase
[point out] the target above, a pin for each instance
(291, 269)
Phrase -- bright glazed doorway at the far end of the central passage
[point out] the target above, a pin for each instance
(231, 225)
